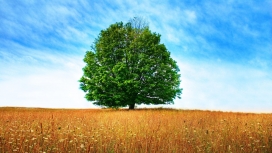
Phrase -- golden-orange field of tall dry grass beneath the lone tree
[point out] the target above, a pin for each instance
(162, 130)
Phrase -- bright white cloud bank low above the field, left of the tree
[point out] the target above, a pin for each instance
(56, 87)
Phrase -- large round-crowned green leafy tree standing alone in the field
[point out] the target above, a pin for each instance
(128, 65)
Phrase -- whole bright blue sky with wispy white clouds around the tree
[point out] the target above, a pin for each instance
(223, 49)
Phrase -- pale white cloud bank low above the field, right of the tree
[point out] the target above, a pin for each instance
(224, 86)
